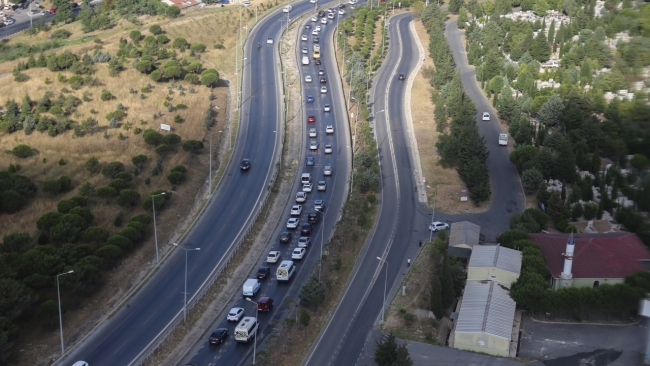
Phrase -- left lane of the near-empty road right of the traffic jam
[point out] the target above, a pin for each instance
(337, 330)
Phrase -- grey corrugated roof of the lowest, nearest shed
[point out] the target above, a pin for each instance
(486, 308)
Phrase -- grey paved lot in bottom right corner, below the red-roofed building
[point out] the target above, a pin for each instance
(583, 344)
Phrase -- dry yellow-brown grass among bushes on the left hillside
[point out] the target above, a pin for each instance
(38, 344)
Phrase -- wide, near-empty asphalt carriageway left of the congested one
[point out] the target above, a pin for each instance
(122, 339)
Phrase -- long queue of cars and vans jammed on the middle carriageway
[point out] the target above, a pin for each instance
(303, 215)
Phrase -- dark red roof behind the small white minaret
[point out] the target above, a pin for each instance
(611, 255)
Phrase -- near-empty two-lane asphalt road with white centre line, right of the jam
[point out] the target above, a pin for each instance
(401, 216)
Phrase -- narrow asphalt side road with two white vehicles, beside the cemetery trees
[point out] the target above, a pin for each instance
(507, 194)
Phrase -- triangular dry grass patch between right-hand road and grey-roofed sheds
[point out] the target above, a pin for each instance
(401, 317)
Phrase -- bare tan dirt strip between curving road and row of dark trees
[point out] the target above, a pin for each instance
(446, 181)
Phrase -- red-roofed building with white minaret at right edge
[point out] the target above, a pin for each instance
(588, 260)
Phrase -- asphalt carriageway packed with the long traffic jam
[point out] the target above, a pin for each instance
(232, 352)
